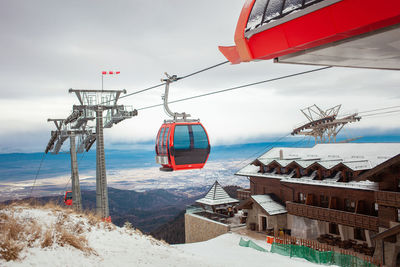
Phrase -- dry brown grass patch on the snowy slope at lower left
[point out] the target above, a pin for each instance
(17, 233)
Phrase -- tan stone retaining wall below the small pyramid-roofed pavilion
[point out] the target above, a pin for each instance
(199, 229)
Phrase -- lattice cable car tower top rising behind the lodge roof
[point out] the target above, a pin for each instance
(324, 126)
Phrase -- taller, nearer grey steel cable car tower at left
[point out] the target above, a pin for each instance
(93, 104)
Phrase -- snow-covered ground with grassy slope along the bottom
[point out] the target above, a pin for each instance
(107, 245)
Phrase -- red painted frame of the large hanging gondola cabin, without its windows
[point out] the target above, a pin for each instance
(171, 159)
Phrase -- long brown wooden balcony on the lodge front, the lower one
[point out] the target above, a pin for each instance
(333, 216)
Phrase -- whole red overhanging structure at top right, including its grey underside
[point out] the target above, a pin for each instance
(349, 33)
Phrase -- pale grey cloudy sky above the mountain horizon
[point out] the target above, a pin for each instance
(47, 47)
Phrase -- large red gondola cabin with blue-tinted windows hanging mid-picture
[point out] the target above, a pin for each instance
(182, 146)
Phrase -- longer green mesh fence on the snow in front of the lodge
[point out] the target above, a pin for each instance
(320, 257)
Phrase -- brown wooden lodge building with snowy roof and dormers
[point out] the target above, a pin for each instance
(350, 191)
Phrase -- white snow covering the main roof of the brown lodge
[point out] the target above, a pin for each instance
(356, 156)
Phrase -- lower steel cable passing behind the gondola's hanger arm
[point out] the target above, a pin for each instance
(238, 87)
